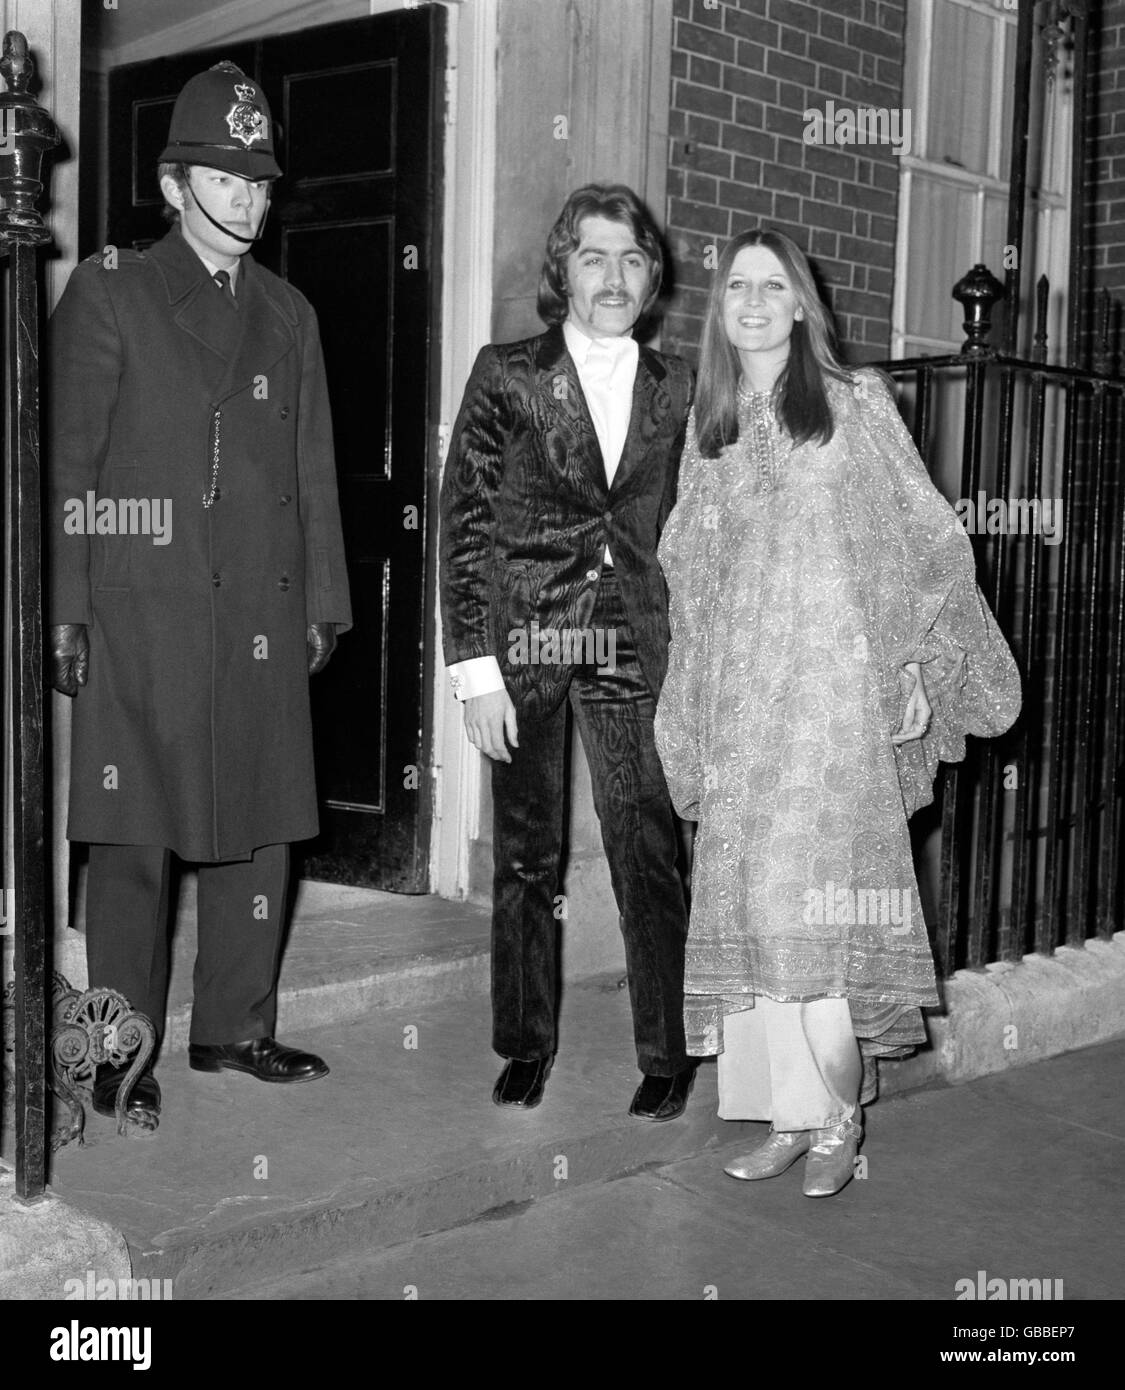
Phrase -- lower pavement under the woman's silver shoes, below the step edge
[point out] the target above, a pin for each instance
(1006, 1175)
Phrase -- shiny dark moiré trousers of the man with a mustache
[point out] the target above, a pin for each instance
(614, 715)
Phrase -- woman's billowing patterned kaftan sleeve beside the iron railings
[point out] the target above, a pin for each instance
(921, 590)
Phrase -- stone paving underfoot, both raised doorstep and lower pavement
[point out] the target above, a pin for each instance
(247, 1189)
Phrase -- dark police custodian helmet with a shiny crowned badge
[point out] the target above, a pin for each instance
(222, 120)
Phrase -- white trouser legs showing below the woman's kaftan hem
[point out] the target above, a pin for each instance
(796, 1064)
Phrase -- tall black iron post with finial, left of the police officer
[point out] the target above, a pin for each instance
(27, 134)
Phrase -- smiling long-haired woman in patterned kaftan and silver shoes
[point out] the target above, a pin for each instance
(814, 575)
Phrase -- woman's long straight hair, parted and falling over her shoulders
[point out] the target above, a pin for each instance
(800, 394)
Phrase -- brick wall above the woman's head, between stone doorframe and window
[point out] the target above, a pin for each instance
(743, 76)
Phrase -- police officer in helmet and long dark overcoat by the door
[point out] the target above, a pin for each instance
(197, 582)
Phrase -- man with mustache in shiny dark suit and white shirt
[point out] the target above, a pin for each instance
(560, 477)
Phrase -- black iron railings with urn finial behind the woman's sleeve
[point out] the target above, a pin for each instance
(1033, 822)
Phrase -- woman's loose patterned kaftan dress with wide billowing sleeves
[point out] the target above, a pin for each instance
(800, 583)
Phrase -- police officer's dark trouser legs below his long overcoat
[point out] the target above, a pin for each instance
(241, 919)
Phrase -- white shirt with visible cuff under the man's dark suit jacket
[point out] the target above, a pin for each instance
(607, 373)
